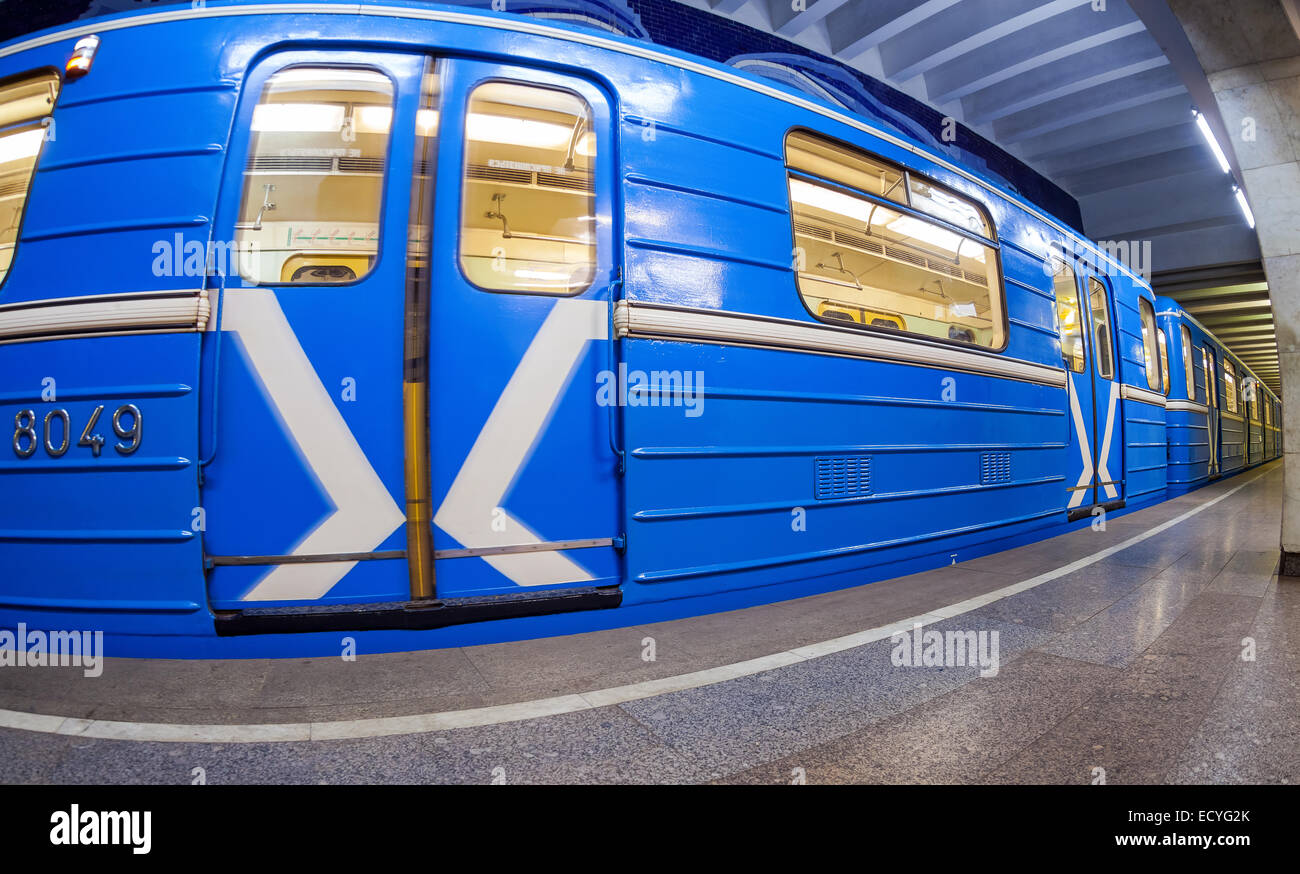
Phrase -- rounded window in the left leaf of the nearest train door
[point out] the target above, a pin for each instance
(315, 176)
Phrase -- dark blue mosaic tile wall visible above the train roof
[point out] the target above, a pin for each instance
(683, 28)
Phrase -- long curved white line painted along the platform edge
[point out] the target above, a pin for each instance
(504, 713)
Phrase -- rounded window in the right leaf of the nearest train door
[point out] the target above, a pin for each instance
(528, 220)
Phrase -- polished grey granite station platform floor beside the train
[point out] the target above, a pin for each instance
(1164, 650)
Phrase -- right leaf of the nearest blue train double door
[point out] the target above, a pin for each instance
(522, 271)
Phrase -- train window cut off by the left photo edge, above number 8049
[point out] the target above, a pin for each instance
(25, 110)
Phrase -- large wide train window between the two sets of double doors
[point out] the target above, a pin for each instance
(891, 250)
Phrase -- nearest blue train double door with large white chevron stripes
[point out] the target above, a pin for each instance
(404, 397)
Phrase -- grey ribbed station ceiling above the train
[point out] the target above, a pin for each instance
(1097, 96)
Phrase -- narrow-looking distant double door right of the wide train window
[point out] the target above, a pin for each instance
(1086, 321)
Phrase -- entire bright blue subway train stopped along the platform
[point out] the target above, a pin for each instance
(434, 327)
